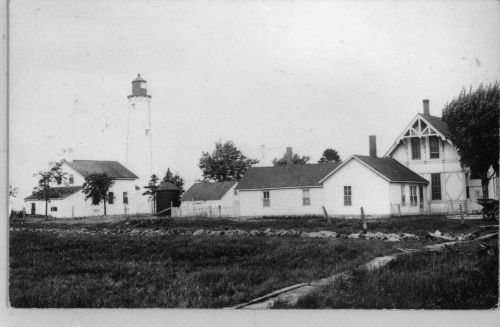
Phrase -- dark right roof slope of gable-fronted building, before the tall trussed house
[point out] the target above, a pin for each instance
(392, 169)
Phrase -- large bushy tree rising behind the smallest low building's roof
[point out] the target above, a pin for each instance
(225, 163)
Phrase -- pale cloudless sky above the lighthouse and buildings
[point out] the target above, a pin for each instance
(264, 74)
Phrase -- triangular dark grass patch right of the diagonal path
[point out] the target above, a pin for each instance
(462, 277)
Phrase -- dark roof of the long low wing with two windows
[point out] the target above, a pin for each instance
(307, 175)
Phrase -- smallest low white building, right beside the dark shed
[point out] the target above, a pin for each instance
(209, 200)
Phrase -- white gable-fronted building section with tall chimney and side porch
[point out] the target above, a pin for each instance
(382, 186)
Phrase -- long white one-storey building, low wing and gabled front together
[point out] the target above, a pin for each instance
(340, 189)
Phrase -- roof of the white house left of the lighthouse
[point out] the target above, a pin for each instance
(113, 169)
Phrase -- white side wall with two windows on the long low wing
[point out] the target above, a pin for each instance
(283, 202)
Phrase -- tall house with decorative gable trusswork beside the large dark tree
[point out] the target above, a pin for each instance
(424, 147)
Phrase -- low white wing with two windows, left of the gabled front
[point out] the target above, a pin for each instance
(283, 190)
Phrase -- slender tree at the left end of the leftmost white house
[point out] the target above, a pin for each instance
(46, 178)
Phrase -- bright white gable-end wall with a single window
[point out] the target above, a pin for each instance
(369, 191)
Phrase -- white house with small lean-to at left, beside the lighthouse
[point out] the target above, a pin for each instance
(68, 200)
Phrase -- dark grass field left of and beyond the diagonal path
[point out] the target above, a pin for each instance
(180, 270)
